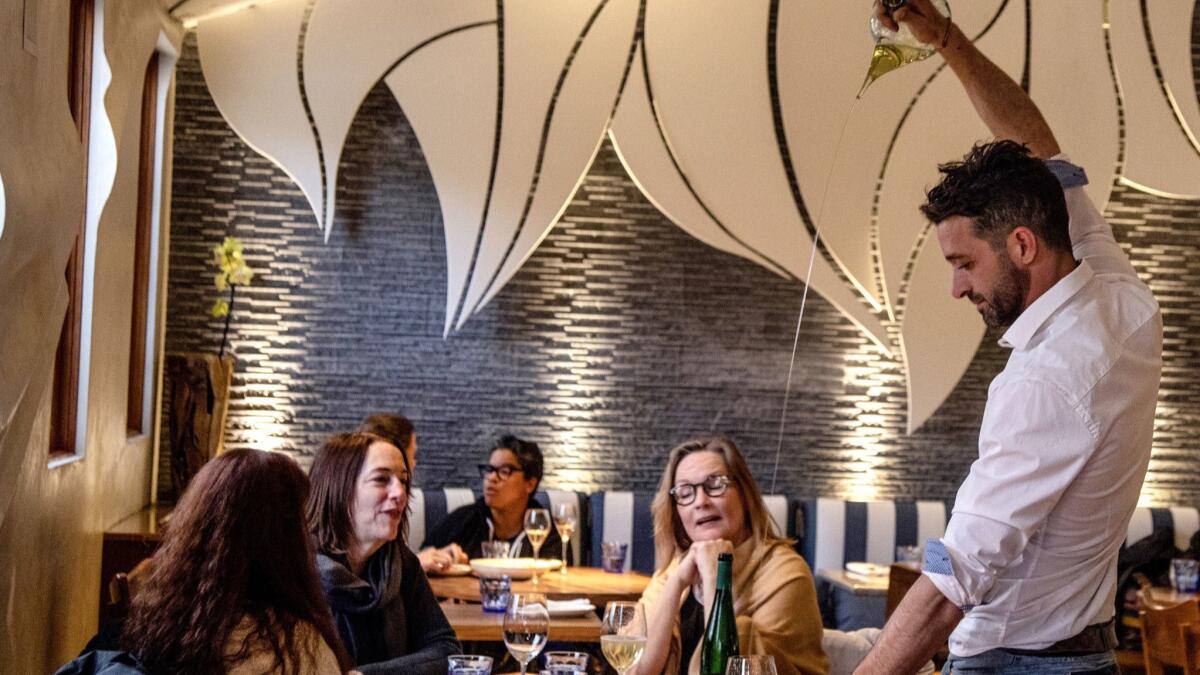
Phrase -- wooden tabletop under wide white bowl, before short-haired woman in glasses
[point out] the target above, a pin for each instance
(591, 583)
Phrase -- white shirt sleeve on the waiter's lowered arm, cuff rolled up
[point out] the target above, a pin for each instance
(1033, 445)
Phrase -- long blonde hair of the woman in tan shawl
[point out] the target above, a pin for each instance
(670, 537)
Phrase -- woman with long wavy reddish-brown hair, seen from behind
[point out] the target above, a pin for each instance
(235, 584)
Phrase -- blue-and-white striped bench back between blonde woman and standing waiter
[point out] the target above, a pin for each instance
(837, 533)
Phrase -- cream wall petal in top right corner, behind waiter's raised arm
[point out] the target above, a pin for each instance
(1162, 154)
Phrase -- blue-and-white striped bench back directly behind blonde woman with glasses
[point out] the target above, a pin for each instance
(625, 517)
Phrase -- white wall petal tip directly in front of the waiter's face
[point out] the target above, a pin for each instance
(940, 334)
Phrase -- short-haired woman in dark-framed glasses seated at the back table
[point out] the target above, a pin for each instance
(511, 479)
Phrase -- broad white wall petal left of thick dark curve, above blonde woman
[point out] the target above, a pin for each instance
(704, 83)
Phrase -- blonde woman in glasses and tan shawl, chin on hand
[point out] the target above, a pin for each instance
(709, 504)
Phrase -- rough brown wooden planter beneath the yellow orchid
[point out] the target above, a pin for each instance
(199, 390)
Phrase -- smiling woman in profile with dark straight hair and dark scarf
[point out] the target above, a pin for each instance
(383, 606)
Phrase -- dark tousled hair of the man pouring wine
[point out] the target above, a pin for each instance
(1001, 187)
